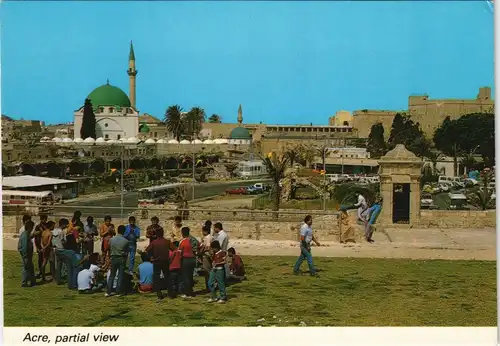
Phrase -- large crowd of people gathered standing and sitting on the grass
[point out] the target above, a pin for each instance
(170, 262)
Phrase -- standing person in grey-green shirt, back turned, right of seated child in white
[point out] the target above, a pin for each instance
(119, 249)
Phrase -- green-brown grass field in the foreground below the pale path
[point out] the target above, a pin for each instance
(349, 292)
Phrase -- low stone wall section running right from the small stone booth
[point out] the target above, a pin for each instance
(456, 219)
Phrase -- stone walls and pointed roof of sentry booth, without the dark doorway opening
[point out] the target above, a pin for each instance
(399, 166)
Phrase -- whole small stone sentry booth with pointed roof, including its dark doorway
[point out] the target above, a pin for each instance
(400, 172)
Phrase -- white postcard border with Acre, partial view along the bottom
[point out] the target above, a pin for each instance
(286, 336)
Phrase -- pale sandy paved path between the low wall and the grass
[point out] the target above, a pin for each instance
(457, 244)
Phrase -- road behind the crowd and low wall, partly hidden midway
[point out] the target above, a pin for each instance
(202, 190)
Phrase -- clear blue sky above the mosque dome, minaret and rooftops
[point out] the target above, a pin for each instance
(285, 62)
